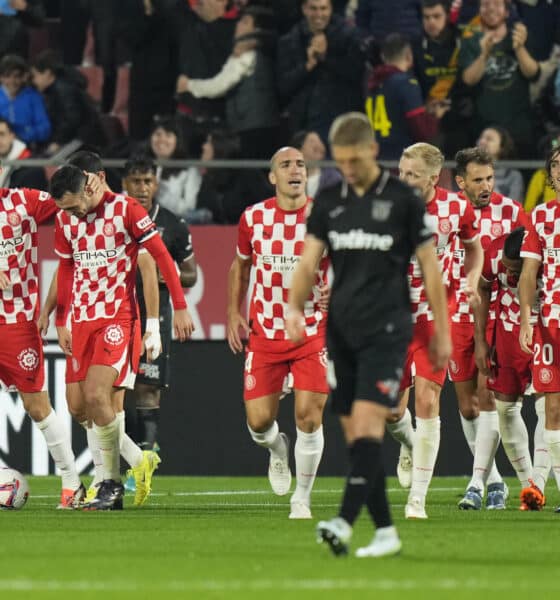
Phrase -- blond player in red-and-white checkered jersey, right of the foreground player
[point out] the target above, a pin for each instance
(450, 217)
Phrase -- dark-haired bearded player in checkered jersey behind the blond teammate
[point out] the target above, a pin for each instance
(496, 215)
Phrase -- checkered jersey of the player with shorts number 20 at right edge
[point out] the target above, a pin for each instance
(543, 243)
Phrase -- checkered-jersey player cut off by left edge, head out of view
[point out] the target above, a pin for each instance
(21, 352)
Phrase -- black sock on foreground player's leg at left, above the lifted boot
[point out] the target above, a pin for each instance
(364, 464)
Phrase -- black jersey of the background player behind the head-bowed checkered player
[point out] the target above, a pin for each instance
(177, 239)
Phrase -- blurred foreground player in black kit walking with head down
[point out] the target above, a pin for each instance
(370, 224)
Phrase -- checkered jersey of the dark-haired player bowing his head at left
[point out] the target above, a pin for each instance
(103, 247)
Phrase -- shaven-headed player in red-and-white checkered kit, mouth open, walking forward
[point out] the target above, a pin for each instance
(271, 236)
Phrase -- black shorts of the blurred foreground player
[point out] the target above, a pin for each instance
(366, 370)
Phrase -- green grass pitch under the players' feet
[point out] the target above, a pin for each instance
(231, 538)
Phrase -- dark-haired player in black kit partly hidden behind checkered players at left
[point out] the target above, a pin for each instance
(140, 182)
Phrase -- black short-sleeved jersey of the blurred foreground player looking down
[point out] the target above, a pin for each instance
(370, 240)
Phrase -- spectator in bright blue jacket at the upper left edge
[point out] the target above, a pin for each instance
(20, 104)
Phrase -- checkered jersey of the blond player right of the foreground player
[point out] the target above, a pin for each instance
(448, 216)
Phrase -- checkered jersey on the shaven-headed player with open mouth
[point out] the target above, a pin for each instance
(273, 239)
